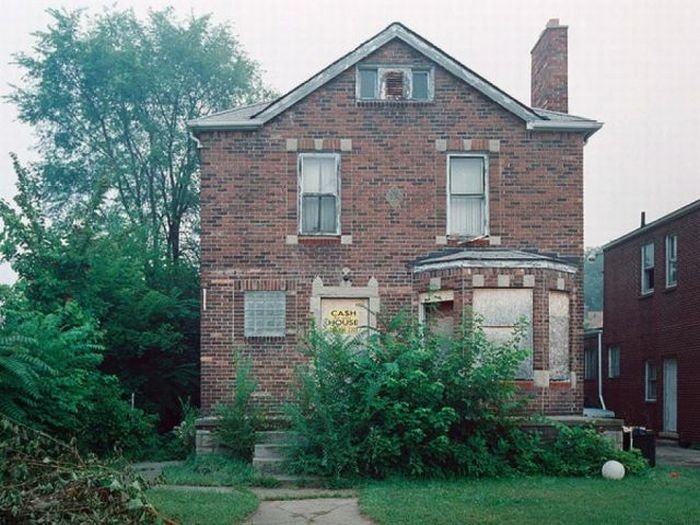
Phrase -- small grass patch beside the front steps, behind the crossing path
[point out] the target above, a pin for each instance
(214, 470)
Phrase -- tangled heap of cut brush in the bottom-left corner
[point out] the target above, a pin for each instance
(45, 481)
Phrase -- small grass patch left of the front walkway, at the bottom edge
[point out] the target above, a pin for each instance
(203, 507)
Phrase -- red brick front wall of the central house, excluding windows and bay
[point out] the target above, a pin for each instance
(249, 204)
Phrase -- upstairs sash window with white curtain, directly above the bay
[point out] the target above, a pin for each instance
(466, 196)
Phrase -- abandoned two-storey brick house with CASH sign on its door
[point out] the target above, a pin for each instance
(394, 178)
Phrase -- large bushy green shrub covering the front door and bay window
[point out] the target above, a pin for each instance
(405, 400)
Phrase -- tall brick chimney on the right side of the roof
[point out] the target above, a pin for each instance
(549, 76)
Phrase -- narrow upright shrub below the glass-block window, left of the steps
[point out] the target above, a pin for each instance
(239, 419)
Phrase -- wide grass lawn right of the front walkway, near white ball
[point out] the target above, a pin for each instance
(656, 497)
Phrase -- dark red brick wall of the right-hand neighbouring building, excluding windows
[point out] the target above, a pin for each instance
(662, 325)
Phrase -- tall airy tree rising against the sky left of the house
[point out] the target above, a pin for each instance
(109, 97)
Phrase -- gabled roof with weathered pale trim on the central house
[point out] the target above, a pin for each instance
(255, 116)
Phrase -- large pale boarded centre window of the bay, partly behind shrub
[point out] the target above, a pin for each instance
(501, 309)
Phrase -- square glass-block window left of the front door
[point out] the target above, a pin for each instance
(265, 314)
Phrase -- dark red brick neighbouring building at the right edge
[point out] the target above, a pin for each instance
(651, 338)
